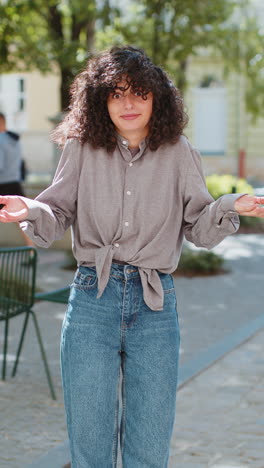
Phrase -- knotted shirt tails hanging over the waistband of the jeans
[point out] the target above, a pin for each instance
(153, 293)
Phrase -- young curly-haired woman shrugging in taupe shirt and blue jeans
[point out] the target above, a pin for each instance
(131, 186)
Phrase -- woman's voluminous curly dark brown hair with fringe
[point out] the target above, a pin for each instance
(88, 119)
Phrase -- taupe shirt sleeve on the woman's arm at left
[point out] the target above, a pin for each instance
(54, 210)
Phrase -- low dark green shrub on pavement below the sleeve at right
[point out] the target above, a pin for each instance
(199, 262)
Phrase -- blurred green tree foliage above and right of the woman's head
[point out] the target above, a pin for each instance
(172, 31)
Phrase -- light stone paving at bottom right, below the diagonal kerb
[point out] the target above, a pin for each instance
(219, 417)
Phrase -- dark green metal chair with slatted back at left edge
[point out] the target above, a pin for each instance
(17, 296)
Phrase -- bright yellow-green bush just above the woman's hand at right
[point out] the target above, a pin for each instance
(219, 185)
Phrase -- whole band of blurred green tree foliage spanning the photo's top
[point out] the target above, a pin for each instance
(41, 33)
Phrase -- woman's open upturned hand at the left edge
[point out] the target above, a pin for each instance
(14, 209)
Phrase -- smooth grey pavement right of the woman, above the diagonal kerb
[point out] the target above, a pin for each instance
(214, 307)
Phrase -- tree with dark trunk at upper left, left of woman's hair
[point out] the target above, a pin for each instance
(44, 33)
